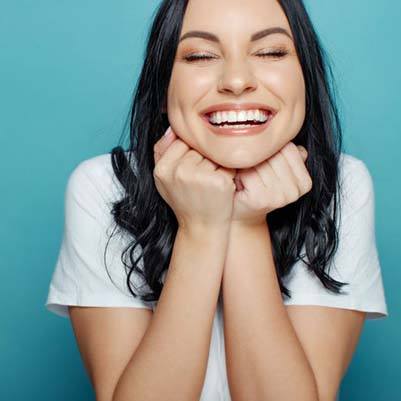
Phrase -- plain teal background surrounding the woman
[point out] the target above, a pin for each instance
(67, 74)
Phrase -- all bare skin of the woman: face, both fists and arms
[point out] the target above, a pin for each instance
(273, 352)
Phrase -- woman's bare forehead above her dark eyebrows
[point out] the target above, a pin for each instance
(233, 18)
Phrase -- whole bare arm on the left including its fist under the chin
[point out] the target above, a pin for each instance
(134, 355)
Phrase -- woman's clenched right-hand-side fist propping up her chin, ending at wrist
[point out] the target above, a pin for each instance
(272, 184)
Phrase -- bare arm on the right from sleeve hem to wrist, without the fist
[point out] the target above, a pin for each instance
(276, 352)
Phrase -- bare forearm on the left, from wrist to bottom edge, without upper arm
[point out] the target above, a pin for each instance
(170, 362)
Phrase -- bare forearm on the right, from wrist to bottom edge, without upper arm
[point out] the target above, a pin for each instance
(265, 360)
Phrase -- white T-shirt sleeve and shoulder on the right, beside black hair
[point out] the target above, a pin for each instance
(356, 260)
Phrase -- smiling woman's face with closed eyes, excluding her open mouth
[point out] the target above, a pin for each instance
(236, 73)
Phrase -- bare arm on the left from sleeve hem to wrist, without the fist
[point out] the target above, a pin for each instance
(134, 354)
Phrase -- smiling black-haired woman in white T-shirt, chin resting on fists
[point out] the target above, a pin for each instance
(231, 221)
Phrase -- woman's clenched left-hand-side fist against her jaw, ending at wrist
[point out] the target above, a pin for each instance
(199, 191)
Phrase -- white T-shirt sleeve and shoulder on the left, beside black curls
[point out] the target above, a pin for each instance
(80, 276)
